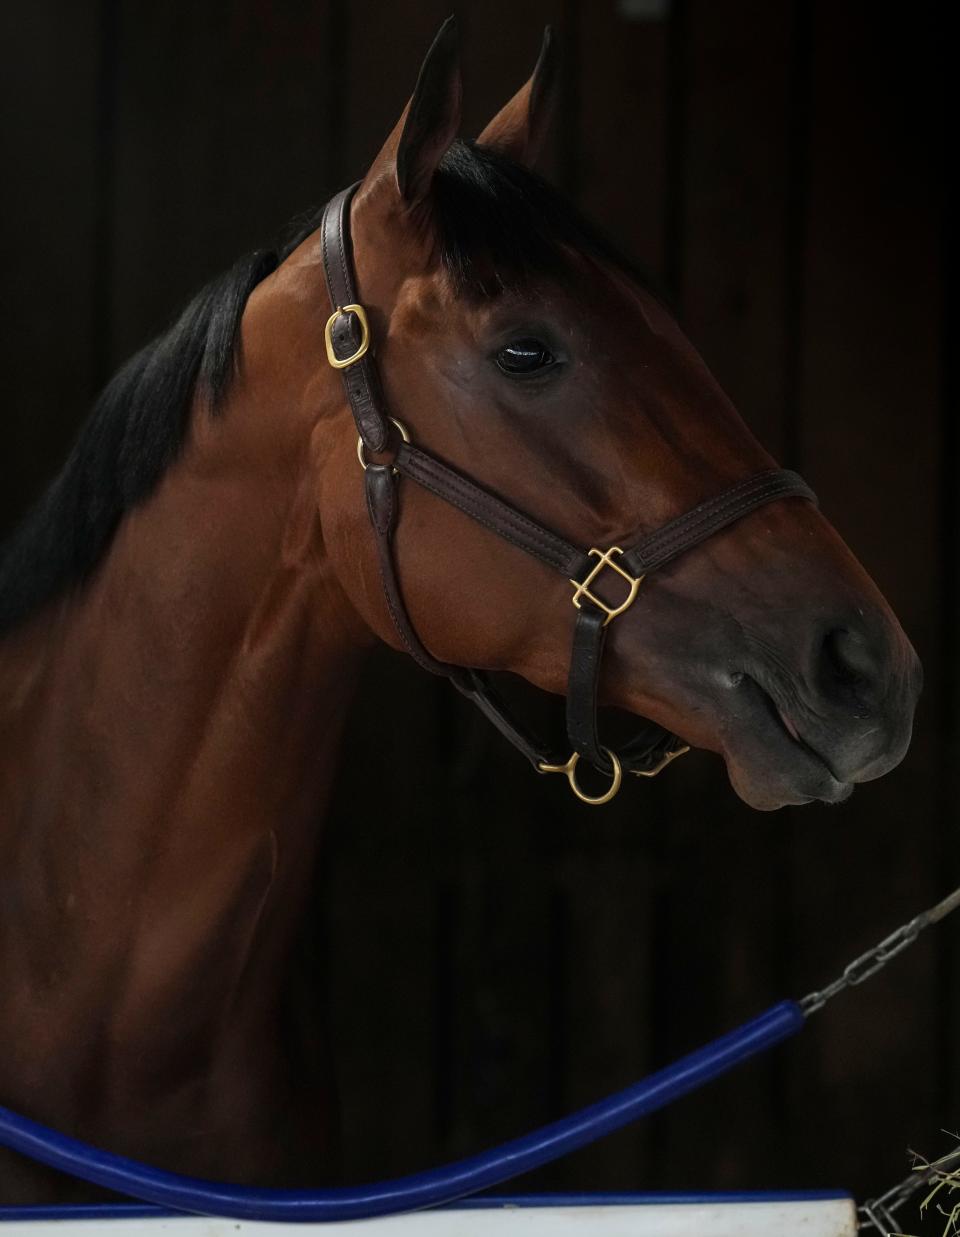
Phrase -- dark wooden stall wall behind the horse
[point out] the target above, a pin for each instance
(494, 953)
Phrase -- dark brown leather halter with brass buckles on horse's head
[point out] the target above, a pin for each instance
(348, 342)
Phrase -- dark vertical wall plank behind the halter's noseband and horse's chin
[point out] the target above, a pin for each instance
(721, 927)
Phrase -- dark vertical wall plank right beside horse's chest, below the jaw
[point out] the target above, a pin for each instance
(377, 907)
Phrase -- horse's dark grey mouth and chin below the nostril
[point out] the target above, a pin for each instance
(771, 765)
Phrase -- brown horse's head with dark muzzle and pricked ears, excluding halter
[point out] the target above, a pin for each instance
(514, 342)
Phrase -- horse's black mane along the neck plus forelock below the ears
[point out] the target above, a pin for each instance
(499, 226)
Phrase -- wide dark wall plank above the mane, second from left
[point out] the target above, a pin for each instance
(226, 131)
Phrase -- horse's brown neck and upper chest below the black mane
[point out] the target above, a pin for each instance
(166, 750)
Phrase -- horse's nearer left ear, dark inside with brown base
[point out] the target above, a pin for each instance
(430, 123)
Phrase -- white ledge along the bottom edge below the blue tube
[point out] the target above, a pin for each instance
(834, 1218)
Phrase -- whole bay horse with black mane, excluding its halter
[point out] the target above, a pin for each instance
(185, 614)
